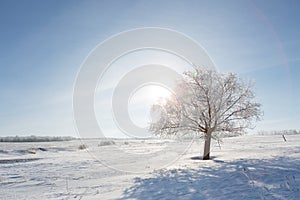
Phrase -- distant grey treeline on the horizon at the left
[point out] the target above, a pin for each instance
(33, 138)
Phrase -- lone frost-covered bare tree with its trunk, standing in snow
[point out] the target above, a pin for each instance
(209, 104)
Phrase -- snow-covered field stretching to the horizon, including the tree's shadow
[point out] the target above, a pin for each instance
(246, 167)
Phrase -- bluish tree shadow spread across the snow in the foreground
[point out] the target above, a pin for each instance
(277, 178)
